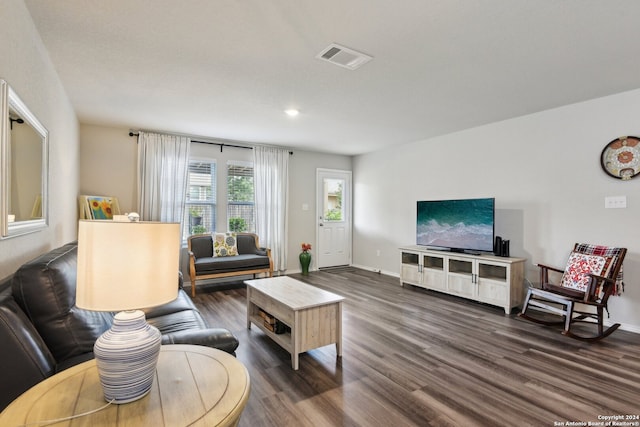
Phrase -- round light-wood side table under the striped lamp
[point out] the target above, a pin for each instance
(193, 385)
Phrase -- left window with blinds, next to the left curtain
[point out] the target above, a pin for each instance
(200, 212)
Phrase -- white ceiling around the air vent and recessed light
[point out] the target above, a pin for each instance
(228, 68)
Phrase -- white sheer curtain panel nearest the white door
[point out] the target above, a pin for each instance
(271, 185)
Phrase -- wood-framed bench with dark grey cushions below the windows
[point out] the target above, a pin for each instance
(250, 258)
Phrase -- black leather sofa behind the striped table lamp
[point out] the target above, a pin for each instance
(43, 332)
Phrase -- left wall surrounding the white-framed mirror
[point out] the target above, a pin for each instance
(25, 65)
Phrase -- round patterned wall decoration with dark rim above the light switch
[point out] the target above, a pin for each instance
(621, 157)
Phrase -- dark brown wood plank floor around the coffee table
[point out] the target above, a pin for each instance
(418, 358)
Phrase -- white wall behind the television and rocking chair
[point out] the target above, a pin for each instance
(544, 171)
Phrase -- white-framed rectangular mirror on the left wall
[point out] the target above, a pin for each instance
(24, 167)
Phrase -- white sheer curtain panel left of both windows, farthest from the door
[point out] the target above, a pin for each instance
(163, 162)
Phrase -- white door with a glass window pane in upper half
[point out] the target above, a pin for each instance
(334, 217)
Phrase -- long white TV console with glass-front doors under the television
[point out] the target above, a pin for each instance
(484, 278)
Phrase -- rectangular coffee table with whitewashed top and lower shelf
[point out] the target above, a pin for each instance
(314, 315)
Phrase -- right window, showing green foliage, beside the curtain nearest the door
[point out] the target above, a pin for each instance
(240, 196)
